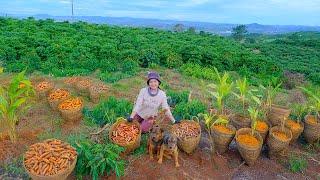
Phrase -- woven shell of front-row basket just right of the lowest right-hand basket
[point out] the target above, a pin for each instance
(278, 147)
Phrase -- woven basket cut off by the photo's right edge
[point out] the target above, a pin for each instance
(311, 131)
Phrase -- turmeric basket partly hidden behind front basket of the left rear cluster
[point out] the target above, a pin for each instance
(56, 96)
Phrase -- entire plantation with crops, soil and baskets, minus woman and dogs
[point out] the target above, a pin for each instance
(66, 89)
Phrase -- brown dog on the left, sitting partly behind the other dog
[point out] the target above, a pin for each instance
(155, 140)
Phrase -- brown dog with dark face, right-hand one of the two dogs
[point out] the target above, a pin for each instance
(169, 148)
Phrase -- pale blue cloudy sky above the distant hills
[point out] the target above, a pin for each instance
(293, 12)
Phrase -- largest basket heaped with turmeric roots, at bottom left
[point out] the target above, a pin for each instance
(50, 160)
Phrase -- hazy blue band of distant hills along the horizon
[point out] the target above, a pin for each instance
(217, 28)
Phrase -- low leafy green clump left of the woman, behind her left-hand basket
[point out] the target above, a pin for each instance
(108, 111)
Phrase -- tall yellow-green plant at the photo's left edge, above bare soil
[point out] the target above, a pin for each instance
(12, 99)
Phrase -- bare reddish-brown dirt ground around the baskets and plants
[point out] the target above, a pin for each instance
(40, 122)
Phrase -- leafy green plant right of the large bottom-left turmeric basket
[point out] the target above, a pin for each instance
(97, 159)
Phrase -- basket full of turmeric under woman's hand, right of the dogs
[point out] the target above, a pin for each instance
(188, 133)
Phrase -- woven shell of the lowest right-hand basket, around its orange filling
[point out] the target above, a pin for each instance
(248, 153)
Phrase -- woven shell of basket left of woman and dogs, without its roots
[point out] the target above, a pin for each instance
(130, 146)
